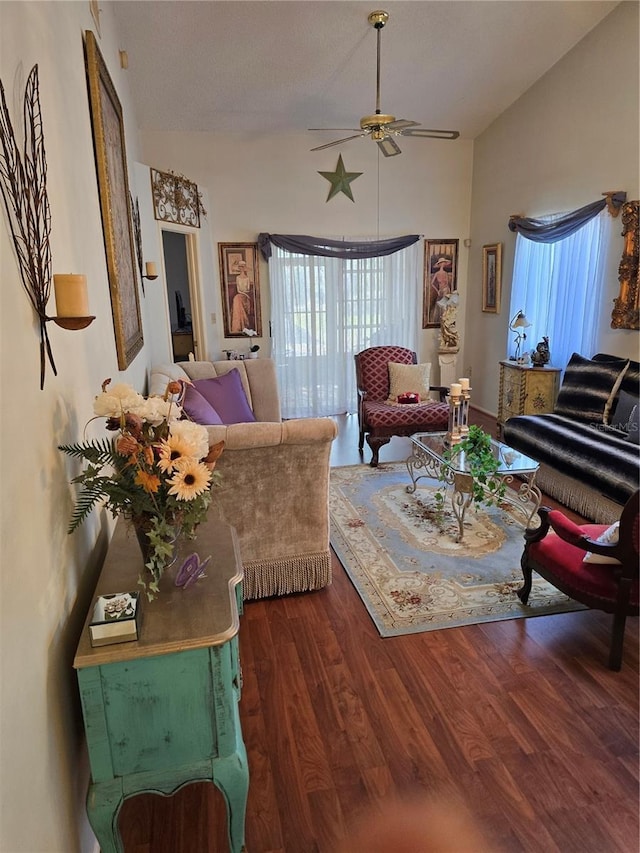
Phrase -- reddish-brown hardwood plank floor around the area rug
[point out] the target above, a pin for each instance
(520, 720)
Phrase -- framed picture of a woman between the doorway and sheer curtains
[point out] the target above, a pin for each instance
(240, 284)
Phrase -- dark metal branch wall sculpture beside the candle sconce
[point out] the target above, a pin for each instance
(23, 185)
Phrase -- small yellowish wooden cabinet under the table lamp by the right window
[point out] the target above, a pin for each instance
(525, 391)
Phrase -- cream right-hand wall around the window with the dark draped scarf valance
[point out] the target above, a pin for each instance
(571, 137)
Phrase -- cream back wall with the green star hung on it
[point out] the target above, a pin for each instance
(259, 184)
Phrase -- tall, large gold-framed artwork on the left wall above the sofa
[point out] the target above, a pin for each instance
(113, 187)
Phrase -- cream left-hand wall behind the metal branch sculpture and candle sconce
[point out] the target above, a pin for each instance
(47, 576)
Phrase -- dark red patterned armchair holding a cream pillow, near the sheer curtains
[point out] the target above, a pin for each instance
(380, 420)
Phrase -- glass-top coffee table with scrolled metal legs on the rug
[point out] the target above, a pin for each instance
(428, 459)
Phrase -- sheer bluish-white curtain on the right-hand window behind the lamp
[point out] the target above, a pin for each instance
(559, 287)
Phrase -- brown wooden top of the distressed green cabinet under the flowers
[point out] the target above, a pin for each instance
(202, 615)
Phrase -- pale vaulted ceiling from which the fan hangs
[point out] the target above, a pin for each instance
(281, 67)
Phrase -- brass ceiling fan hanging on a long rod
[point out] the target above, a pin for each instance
(381, 127)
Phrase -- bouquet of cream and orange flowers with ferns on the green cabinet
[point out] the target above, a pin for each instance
(157, 472)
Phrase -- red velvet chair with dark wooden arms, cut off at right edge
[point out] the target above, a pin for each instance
(556, 551)
